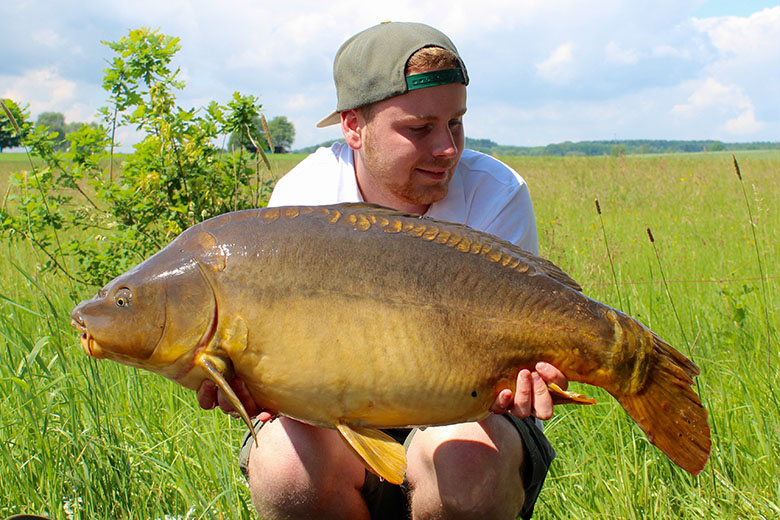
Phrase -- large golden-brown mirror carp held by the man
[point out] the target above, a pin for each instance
(361, 318)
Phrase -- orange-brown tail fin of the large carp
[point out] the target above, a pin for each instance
(669, 411)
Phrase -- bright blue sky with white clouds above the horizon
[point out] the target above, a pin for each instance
(542, 71)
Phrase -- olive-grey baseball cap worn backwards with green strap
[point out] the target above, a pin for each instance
(370, 66)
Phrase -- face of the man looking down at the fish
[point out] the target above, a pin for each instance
(411, 146)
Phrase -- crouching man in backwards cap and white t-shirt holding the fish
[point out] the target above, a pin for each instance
(401, 100)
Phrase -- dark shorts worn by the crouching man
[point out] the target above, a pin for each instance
(391, 502)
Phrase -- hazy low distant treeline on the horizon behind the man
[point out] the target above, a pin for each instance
(615, 148)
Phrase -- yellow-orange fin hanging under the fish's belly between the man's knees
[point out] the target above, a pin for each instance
(379, 452)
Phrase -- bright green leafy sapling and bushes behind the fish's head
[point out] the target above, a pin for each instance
(175, 177)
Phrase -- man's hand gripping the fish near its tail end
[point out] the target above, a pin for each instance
(531, 396)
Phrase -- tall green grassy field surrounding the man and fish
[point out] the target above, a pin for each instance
(86, 439)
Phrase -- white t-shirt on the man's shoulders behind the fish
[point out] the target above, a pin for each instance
(484, 193)
